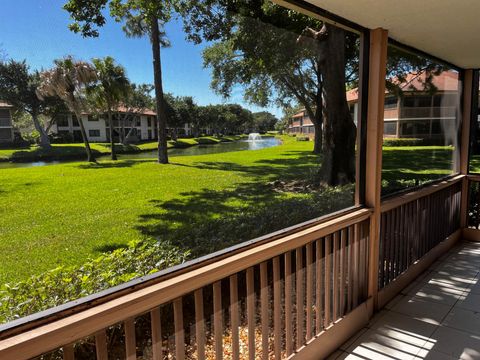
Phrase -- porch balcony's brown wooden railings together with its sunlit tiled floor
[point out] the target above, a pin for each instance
(300, 293)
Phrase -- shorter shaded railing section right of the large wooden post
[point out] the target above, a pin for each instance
(414, 223)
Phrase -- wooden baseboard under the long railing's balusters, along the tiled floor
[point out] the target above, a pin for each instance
(329, 340)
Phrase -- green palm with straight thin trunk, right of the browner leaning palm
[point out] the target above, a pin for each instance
(110, 90)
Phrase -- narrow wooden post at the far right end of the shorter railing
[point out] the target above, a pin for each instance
(462, 164)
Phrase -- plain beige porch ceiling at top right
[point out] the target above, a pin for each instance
(449, 30)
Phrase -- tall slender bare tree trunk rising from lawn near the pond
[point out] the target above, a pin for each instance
(161, 115)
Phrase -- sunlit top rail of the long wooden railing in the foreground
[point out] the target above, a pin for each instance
(82, 324)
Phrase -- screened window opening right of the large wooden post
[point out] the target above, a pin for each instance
(428, 86)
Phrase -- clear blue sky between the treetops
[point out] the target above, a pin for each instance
(36, 30)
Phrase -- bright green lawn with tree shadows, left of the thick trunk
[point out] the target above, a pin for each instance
(63, 214)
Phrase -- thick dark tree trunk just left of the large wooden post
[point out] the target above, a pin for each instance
(338, 165)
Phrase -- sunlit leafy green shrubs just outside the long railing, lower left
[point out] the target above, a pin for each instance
(63, 284)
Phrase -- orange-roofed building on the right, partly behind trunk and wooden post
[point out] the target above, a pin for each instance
(416, 114)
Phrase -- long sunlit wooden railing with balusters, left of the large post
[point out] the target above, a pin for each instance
(268, 301)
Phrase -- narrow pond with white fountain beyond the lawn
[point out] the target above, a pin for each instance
(193, 150)
